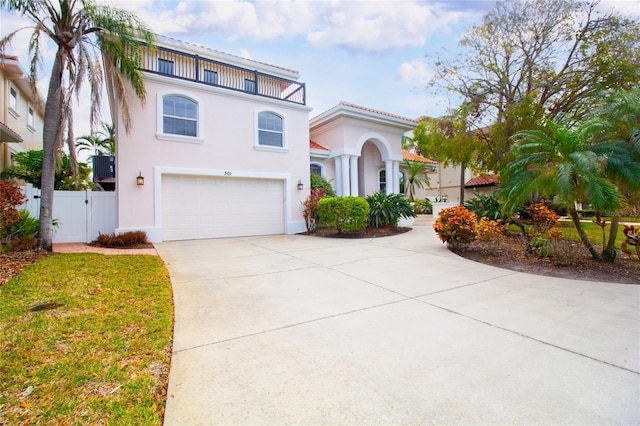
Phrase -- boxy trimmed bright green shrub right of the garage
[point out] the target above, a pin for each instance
(344, 213)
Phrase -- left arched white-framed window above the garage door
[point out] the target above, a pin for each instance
(179, 116)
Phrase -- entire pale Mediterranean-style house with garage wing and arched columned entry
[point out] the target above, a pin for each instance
(223, 146)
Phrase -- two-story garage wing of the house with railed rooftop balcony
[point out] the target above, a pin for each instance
(222, 143)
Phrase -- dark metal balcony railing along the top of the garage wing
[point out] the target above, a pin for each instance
(185, 66)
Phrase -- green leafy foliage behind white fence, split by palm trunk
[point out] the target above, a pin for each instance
(28, 167)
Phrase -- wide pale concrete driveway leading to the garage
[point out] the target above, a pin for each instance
(396, 330)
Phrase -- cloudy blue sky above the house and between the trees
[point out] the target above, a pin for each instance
(377, 54)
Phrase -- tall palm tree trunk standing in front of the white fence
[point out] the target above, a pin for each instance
(51, 127)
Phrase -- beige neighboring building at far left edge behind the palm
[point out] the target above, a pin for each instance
(21, 109)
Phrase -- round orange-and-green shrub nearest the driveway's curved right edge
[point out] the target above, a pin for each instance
(456, 226)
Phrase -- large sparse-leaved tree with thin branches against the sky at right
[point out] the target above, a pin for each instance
(534, 58)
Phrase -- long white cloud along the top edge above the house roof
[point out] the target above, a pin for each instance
(369, 26)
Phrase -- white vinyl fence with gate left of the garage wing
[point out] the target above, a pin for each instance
(81, 215)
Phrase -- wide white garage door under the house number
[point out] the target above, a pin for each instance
(211, 207)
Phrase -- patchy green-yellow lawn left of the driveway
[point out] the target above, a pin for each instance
(102, 357)
